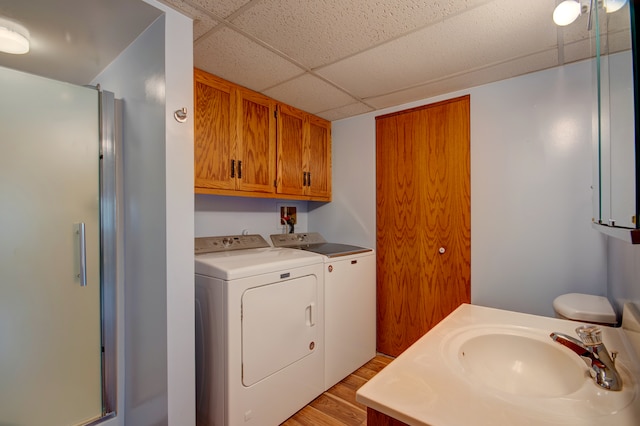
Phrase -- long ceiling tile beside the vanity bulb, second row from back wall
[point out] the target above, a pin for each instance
(500, 34)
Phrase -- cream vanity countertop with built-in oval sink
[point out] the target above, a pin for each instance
(486, 367)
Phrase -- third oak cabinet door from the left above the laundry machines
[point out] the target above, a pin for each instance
(291, 142)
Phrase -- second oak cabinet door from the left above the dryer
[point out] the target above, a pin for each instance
(256, 152)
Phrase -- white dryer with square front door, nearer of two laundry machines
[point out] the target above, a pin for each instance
(259, 331)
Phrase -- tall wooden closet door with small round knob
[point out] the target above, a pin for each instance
(423, 220)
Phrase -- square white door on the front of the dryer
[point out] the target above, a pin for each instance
(278, 326)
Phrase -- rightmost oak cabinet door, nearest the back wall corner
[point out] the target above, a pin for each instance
(319, 158)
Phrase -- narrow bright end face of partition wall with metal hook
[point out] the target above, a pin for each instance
(180, 217)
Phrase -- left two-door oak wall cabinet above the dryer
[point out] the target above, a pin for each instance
(234, 138)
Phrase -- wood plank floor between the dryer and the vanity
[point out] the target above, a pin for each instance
(338, 406)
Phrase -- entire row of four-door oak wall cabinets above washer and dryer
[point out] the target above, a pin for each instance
(243, 148)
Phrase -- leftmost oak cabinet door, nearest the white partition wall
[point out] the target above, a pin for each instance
(215, 136)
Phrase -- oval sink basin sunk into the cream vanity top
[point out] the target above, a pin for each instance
(519, 365)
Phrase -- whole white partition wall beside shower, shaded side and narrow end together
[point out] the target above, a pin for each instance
(153, 77)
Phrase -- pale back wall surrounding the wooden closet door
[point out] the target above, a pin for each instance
(531, 208)
